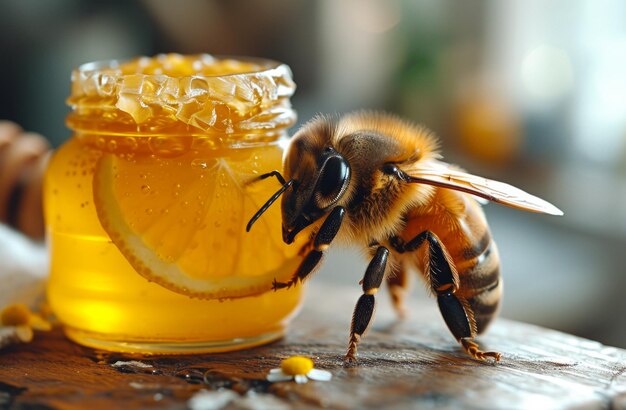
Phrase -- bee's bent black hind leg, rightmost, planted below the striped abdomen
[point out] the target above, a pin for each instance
(444, 282)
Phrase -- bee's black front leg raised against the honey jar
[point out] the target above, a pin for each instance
(313, 256)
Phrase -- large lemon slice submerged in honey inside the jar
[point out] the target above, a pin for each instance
(180, 222)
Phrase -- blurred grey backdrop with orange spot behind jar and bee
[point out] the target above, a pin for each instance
(526, 91)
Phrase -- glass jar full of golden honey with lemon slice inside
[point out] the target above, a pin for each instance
(146, 206)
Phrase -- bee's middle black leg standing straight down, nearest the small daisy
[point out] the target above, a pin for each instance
(364, 309)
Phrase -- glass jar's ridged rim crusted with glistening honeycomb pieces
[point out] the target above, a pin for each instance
(201, 92)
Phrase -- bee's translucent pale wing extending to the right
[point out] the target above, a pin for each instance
(444, 175)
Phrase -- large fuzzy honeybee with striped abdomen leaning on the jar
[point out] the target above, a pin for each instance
(375, 180)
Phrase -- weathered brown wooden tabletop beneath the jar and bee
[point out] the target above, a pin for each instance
(414, 363)
